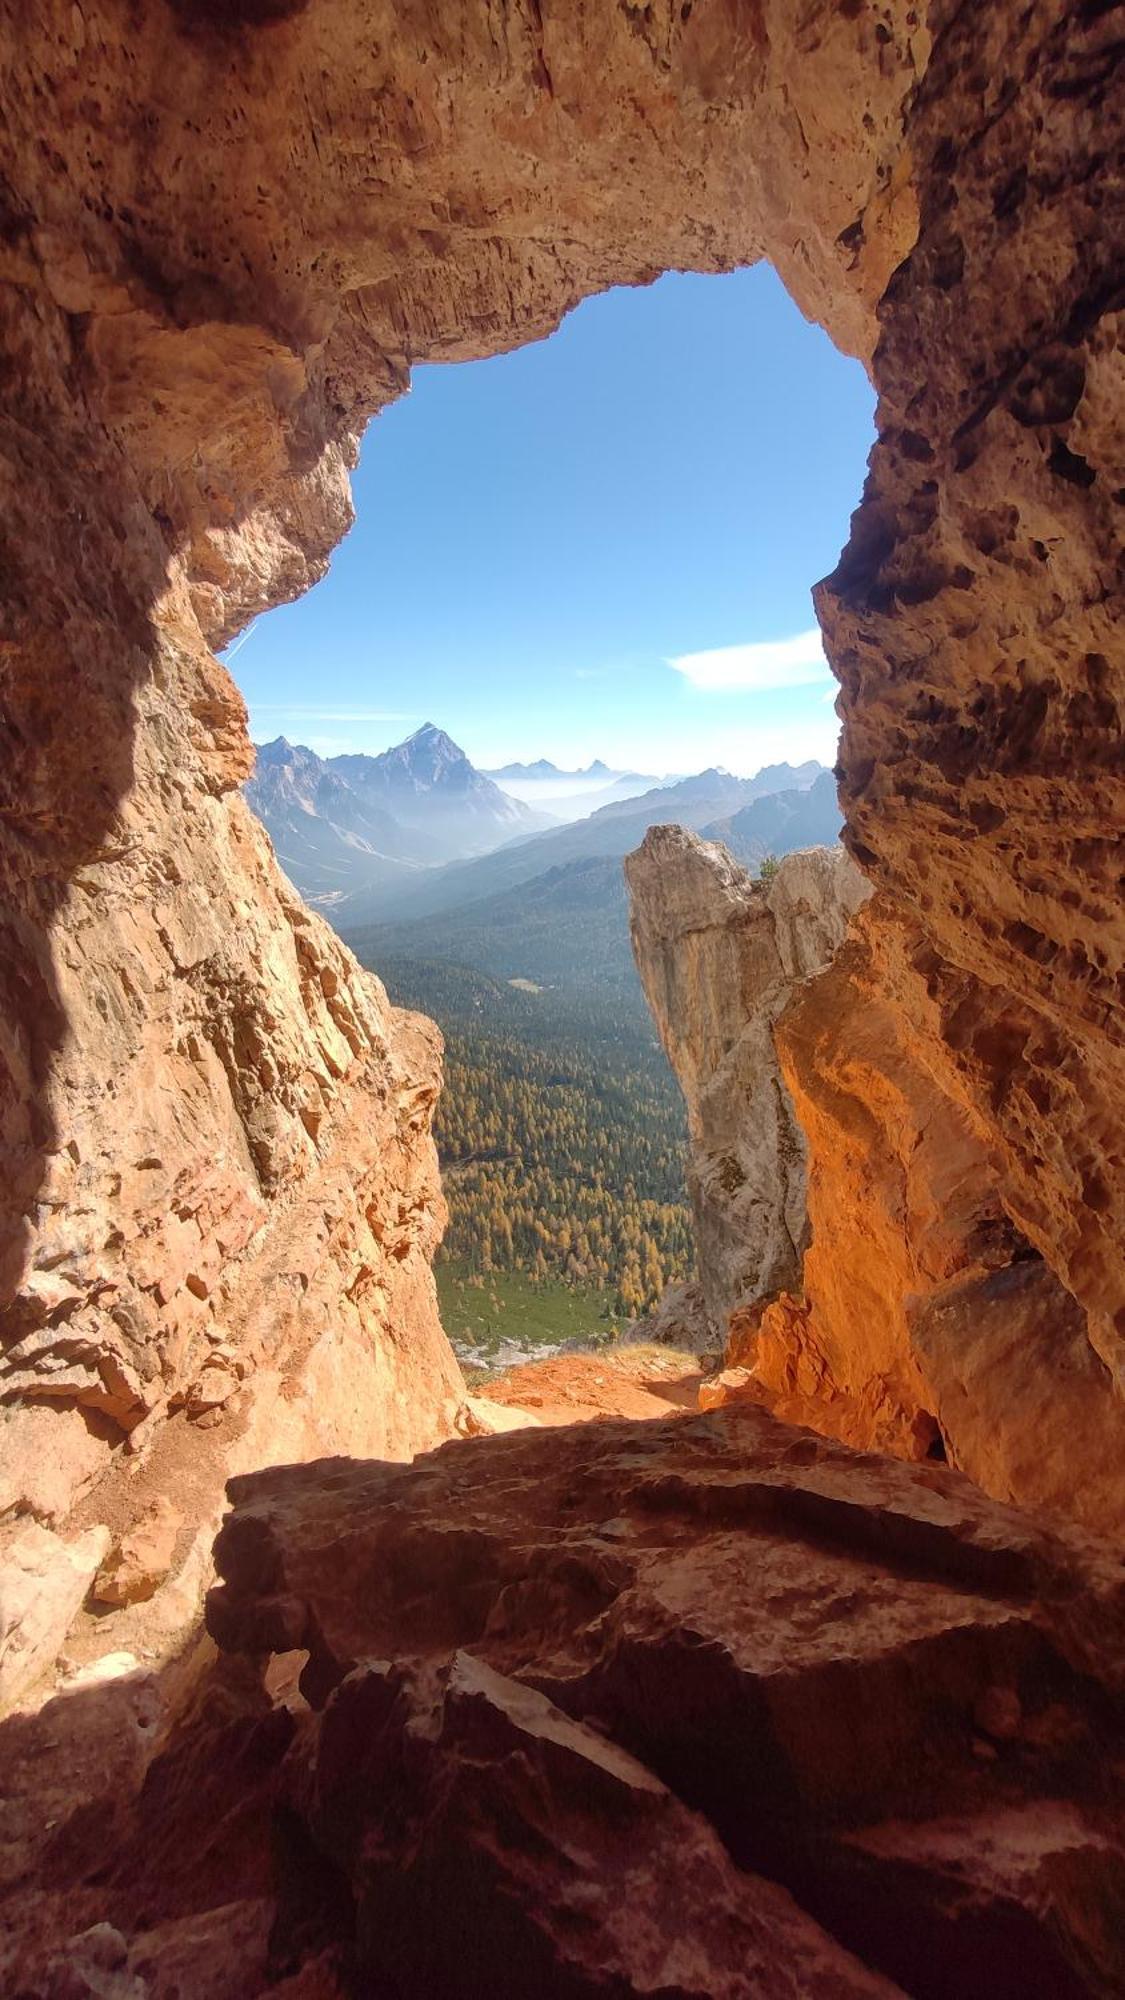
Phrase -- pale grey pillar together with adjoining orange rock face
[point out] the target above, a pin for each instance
(856, 1253)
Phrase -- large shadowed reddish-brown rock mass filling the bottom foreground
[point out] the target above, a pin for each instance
(706, 1707)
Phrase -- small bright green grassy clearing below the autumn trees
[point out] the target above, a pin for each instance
(509, 1309)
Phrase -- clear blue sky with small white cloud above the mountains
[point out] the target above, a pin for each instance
(600, 545)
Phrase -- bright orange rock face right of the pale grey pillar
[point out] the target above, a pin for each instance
(926, 1311)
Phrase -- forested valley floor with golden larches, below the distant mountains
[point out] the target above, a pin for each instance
(561, 1133)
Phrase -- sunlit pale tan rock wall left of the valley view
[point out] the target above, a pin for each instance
(275, 1287)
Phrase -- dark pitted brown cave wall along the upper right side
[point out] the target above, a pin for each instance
(976, 617)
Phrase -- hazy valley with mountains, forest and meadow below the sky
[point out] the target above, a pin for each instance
(561, 1129)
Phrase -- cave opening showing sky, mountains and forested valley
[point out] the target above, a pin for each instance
(576, 605)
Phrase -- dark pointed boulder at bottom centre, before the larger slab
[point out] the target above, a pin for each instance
(507, 1805)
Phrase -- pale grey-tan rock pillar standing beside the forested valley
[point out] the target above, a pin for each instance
(720, 957)
